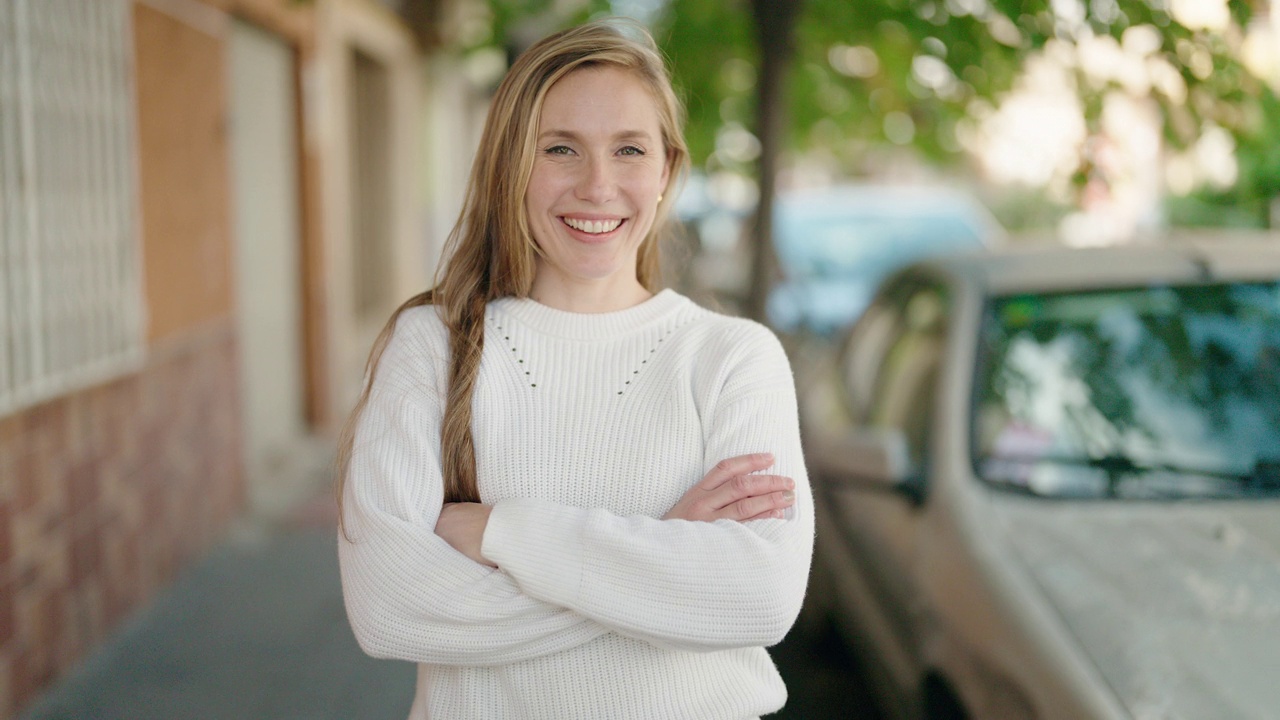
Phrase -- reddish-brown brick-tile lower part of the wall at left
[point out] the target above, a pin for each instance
(104, 495)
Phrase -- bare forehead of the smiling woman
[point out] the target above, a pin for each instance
(600, 98)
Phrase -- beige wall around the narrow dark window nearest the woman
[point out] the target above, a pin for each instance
(362, 42)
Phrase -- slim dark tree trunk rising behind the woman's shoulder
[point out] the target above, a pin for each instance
(775, 21)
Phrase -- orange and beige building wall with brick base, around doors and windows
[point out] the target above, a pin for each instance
(107, 493)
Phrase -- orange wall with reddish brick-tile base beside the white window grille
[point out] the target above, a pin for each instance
(106, 494)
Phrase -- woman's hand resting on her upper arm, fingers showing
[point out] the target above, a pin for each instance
(732, 493)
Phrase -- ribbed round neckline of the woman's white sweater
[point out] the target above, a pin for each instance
(591, 326)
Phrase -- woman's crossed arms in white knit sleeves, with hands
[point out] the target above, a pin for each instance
(717, 571)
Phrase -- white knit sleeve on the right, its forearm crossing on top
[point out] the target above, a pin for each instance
(675, 584)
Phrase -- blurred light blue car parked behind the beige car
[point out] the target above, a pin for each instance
(835, 245)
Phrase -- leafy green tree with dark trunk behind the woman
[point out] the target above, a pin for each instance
(849, 78)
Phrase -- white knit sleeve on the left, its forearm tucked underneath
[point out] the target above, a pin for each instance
(410, 595)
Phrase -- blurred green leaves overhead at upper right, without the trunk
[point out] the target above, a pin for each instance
(908, 72)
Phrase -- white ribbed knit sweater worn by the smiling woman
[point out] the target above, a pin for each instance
(588, 429)
